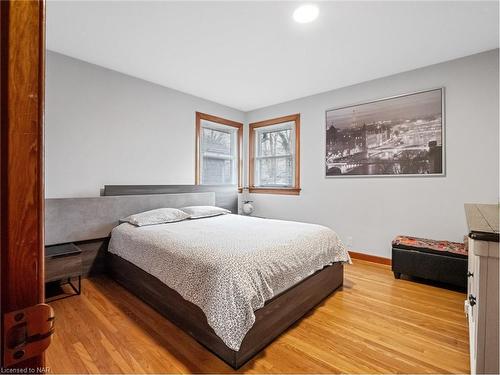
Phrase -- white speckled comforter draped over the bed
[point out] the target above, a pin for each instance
(229, 265)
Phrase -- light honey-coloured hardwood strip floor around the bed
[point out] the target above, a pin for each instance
(374, 324)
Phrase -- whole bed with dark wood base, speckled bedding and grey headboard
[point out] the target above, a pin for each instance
(234, 283)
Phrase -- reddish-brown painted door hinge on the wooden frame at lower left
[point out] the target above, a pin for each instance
(27, 333)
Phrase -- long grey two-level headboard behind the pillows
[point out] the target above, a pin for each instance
(82, 219)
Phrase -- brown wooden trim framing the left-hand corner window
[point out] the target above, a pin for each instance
(239, 144)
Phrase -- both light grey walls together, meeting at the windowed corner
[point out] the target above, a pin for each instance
(103, 127)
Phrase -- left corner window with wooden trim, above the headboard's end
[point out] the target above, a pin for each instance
(218, 150)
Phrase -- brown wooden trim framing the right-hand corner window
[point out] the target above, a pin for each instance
(295, 190)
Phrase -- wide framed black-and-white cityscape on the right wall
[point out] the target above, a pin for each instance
(397, 136)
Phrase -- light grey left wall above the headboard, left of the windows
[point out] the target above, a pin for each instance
(104, 127)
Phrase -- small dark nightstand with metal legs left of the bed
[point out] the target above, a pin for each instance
(64, 263)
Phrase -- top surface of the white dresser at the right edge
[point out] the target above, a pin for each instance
(482, 220)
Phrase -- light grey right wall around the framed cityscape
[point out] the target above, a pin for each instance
(373, 210)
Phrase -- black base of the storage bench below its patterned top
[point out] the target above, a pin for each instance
(436, 267)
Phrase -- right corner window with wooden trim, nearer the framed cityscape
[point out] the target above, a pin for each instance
(274, 156)
